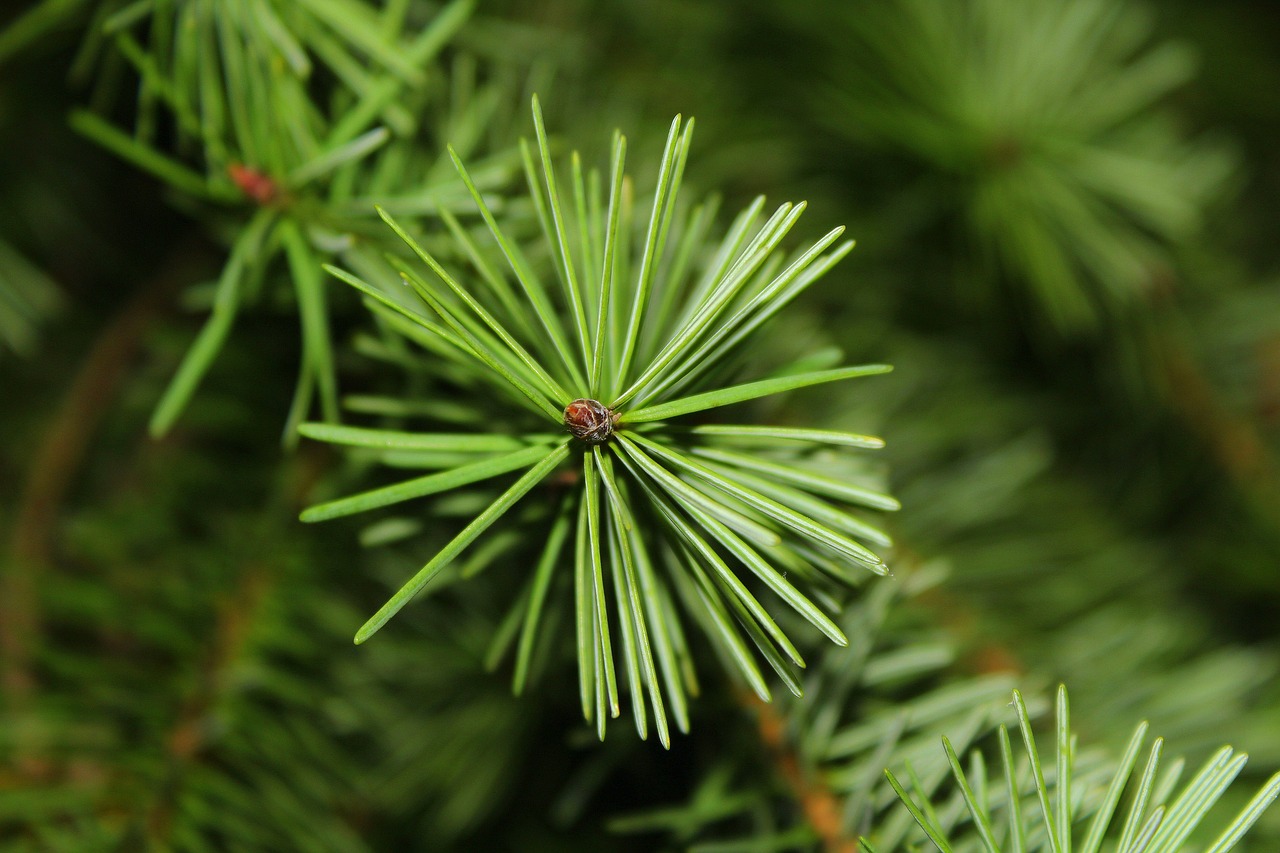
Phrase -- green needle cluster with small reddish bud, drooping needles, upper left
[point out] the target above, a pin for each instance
(291, 121)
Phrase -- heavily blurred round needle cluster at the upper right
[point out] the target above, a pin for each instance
(1036, 130)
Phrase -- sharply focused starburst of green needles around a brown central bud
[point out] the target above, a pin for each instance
(661, 512)
